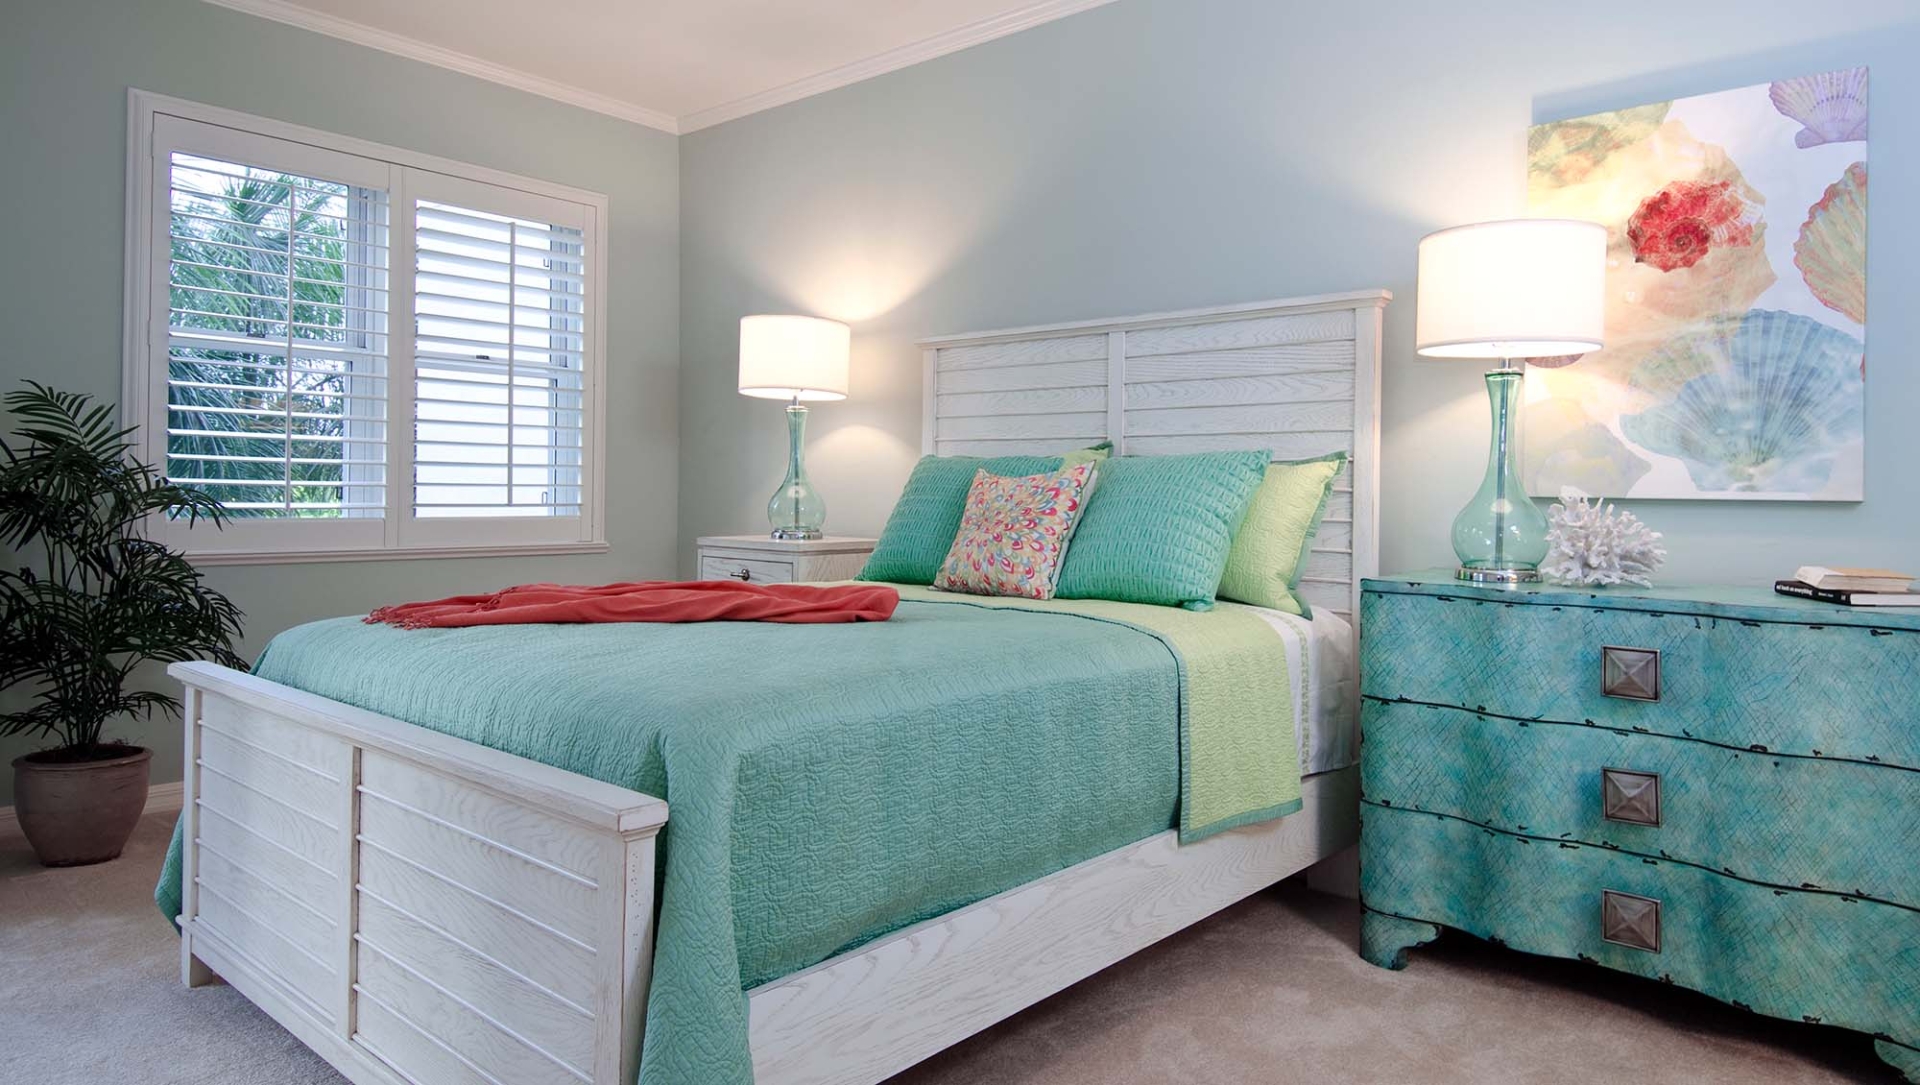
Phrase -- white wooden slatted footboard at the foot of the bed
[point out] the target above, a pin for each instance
(410, 905)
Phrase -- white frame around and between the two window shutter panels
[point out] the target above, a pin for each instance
(398, 533)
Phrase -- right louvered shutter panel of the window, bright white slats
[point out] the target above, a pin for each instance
(500, 364)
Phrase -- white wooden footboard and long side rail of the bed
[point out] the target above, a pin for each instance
(420, 909)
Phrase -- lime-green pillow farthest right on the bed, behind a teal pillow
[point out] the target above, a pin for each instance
(1272, 548)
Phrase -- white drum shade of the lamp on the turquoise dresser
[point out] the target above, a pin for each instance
(1516, 289)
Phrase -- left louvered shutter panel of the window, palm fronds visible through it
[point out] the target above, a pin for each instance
(277, 341)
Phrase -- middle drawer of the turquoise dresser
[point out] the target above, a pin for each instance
(1773, 819)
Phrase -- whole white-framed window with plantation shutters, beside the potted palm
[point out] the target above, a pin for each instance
(360, 352)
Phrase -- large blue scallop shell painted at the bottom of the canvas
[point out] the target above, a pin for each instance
(1781, 402)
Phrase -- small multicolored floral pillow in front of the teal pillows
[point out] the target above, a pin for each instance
(1015, 533)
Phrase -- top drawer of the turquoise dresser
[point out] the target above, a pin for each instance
(1836, 692)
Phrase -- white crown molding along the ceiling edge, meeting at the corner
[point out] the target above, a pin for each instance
(832, 80)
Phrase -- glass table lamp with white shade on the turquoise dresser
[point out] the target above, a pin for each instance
(1510, 291)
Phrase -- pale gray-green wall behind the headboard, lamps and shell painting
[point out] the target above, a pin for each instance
(1161, 155)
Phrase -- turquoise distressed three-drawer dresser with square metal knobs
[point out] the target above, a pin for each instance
(1717, 788)
